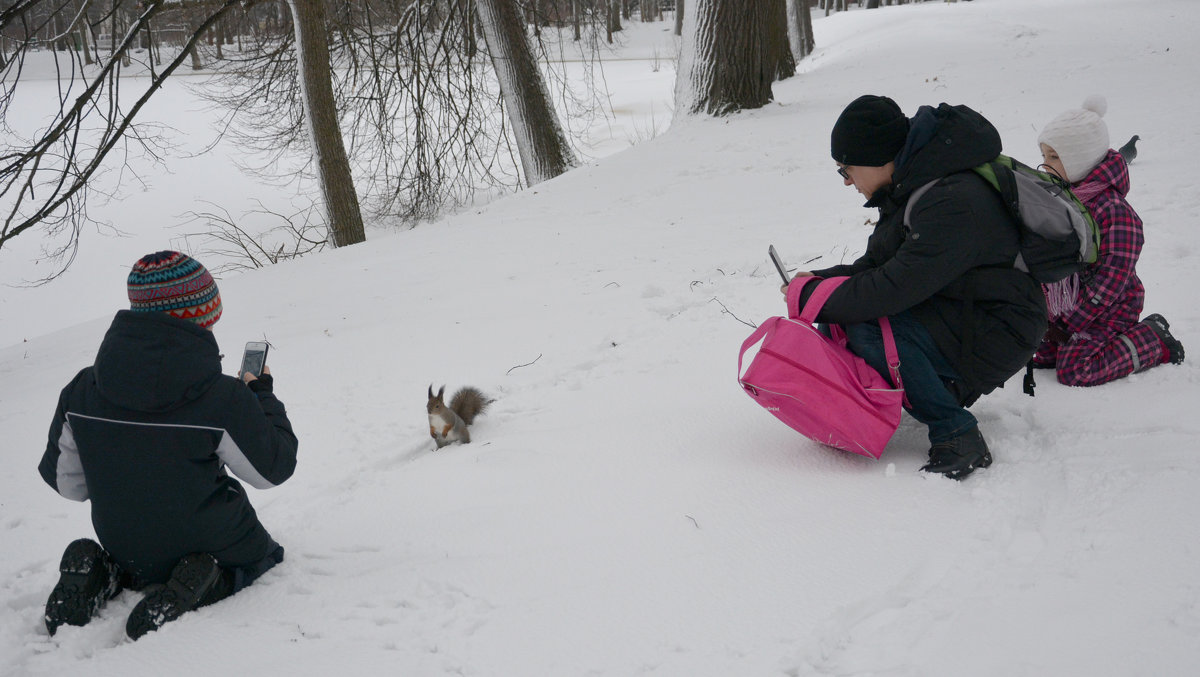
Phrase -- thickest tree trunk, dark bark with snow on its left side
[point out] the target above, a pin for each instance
(731, 68)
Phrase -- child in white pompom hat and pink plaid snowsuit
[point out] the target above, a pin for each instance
(1095, 334)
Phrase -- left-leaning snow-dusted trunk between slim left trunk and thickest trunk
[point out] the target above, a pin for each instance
(541, 141)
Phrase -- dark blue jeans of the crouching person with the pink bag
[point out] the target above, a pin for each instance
(925, 370)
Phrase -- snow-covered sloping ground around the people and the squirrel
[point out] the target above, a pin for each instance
(625, 510)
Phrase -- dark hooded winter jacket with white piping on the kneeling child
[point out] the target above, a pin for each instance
(148, 435)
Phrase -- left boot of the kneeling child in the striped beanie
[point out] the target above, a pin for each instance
(88, 579)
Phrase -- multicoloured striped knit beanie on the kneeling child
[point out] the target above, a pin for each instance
(177, 285)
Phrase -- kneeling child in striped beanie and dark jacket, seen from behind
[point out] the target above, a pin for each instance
(147, 434)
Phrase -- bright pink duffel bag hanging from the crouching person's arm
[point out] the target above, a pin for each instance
(818, 387)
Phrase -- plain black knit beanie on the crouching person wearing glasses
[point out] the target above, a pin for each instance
(869, 133)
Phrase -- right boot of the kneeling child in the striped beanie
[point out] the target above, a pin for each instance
(193, 584)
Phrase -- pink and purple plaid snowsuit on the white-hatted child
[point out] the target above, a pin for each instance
(1100, 339)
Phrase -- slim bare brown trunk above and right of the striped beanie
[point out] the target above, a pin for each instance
(334, 169)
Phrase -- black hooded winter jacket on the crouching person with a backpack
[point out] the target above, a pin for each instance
(955, 269)
